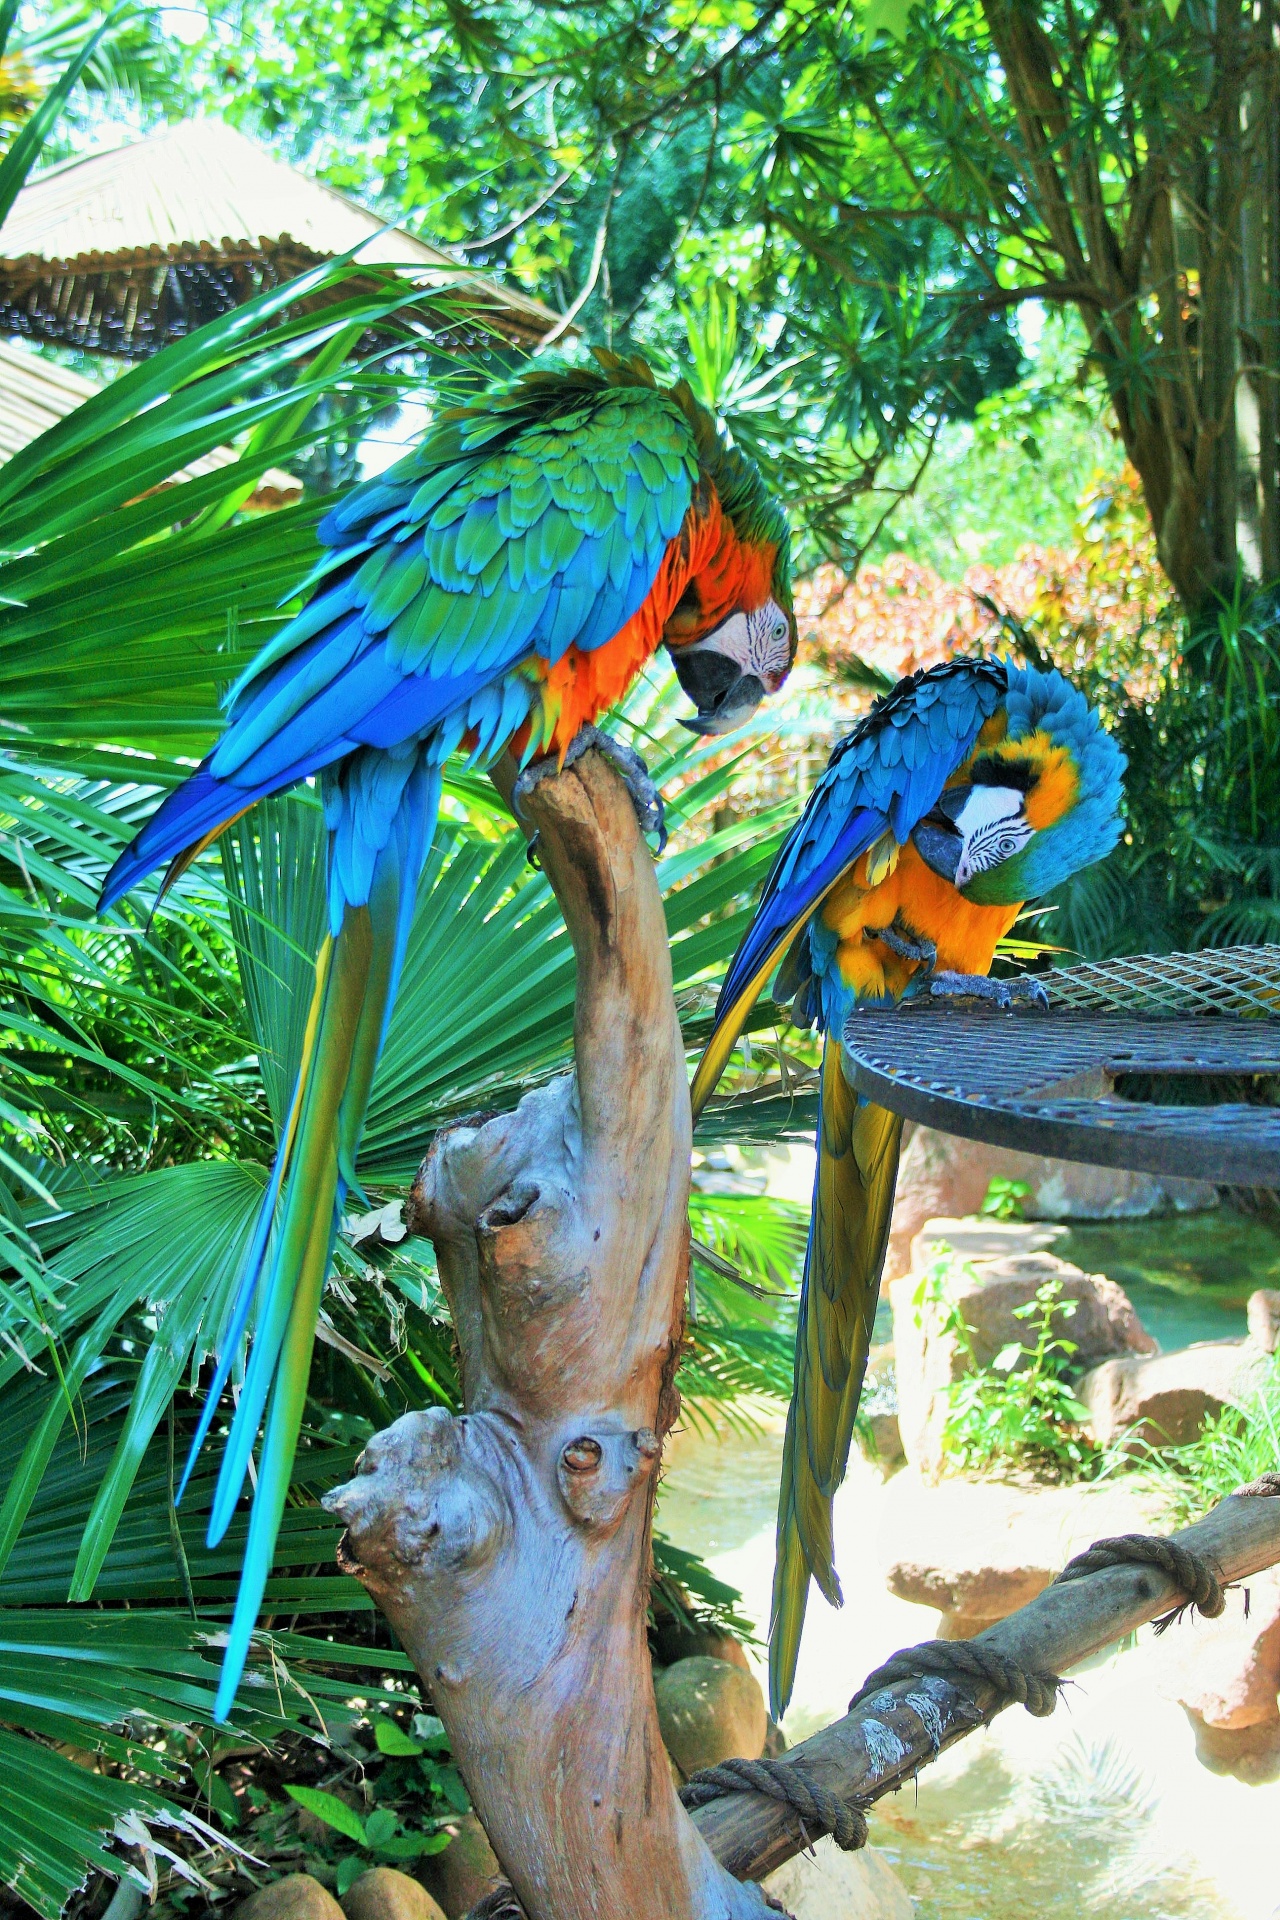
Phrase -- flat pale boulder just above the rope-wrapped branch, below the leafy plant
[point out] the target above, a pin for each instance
(980, 1550)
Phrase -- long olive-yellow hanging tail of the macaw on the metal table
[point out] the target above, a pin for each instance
(853, 1205)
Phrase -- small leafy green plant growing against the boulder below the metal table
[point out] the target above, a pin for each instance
(1020, 1412)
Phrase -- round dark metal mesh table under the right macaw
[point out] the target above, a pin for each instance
(1164, 1065)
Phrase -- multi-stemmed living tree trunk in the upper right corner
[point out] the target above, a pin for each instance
(1175, 373)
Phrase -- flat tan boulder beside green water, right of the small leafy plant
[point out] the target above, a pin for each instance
(1168, 1399)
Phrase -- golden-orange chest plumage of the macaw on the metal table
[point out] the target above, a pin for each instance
(920, 907)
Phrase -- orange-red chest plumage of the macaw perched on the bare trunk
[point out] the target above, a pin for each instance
(724, 573)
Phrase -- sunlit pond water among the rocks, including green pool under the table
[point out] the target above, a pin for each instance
(1102, 1810)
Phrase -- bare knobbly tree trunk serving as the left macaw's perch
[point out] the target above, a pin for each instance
(510, 1547)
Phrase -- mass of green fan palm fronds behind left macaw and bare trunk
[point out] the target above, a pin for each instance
(149, 1067)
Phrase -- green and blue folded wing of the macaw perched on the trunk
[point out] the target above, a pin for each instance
(433, 600)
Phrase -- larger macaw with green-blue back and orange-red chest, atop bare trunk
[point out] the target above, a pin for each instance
(496, 590)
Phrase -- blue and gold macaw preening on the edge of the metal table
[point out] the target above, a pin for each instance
(966, 792)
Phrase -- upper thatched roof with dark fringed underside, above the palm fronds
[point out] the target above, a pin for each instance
(126, 251)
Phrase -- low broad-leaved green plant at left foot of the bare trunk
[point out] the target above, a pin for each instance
(417, 1769)
